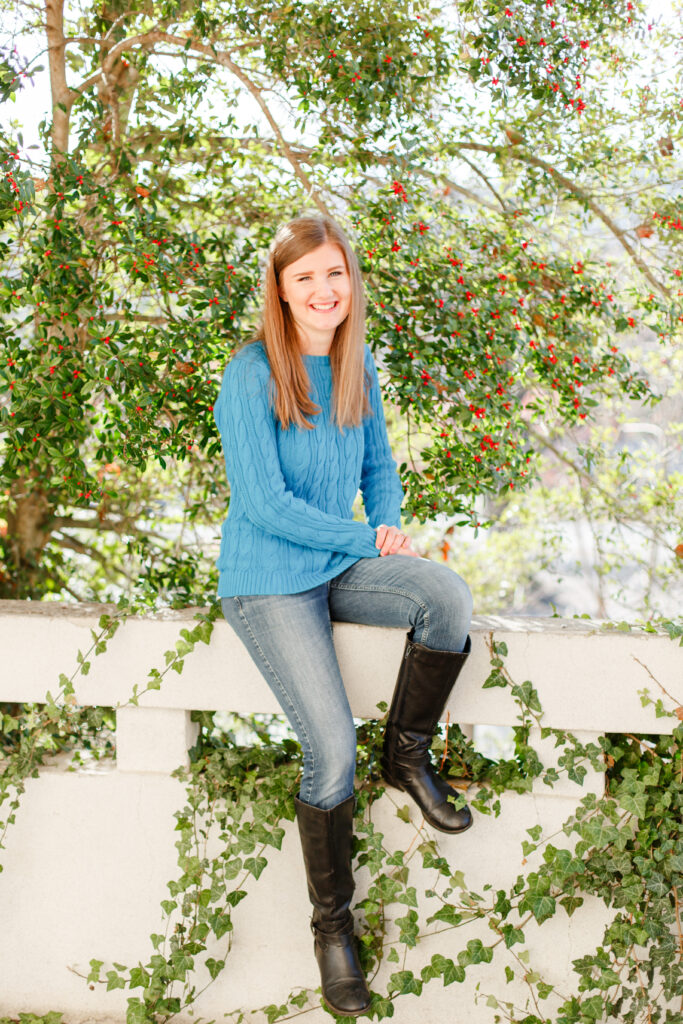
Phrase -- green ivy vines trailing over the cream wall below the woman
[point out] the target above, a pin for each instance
(625, 848)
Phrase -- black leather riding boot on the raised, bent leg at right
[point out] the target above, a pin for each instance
(425, 680)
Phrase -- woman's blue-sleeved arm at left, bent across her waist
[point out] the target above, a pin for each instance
(248, 432)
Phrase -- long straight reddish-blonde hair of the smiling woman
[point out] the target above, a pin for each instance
(278, 331)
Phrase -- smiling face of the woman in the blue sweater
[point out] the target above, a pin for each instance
(318, 290)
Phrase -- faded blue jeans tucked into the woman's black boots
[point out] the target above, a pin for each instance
(289, 637)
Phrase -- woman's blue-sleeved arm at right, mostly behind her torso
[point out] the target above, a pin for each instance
(380, 484)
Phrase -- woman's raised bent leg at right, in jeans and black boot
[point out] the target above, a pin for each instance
(436, 603)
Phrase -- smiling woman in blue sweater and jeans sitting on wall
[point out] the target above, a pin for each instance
(303, 428)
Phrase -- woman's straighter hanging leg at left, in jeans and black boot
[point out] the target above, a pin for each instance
(289, 637)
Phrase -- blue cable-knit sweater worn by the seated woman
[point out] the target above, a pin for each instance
(290, 523)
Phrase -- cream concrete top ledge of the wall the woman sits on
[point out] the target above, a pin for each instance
(588, 677)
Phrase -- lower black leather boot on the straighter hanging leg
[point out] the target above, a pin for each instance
(326, 841)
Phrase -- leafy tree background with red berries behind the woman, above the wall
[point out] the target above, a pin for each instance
(511, 177)
